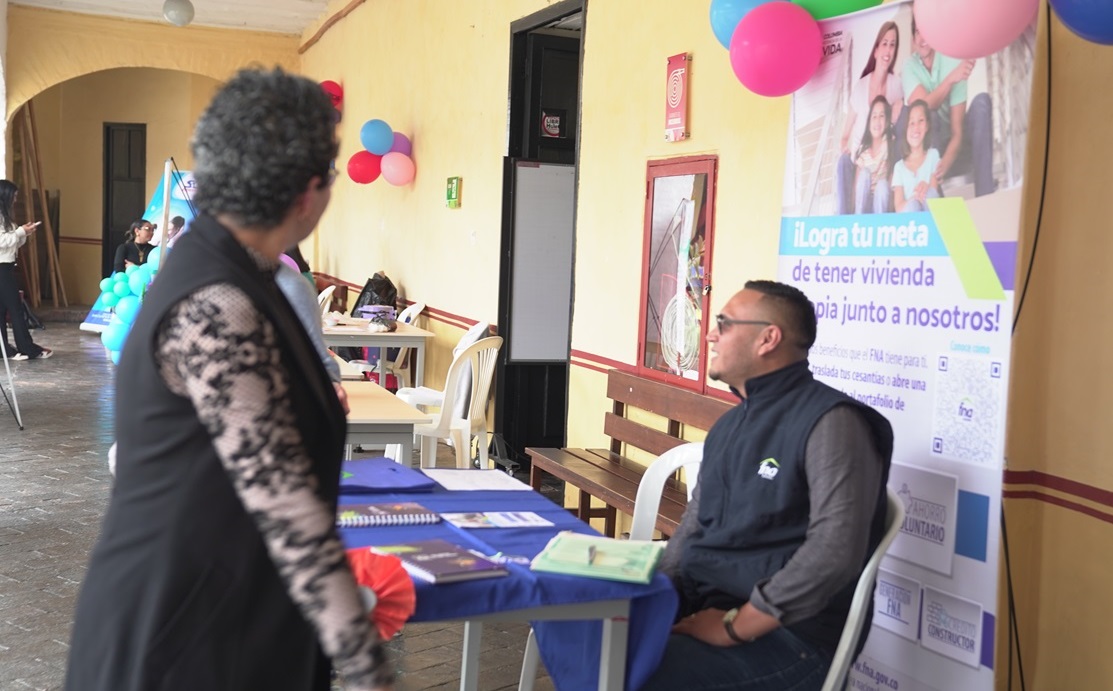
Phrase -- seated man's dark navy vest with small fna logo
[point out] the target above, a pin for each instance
(754, 504)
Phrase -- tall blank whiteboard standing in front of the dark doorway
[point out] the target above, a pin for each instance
(541, 283)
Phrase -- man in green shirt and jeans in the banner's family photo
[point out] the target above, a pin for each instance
(963, 135)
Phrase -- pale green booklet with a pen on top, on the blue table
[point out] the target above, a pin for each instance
(633, 561)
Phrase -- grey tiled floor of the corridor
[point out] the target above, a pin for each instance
(54, 488)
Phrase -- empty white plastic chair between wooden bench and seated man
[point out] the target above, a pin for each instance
(642, 527)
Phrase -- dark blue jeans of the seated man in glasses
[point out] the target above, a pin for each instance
(777, 662)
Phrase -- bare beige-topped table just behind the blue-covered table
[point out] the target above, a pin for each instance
(379, 418)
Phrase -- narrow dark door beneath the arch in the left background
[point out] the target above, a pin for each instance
(125, 185)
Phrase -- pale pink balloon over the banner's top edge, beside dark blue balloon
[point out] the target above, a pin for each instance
(970, 29)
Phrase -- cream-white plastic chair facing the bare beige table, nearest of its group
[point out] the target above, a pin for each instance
(479, 358)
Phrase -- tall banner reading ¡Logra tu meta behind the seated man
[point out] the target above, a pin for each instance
(901, 216)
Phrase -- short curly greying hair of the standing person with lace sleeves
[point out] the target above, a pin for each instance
(259, 144)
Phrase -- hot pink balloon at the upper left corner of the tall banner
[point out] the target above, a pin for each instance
(776, 48)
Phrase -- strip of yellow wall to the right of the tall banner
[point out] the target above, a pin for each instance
(1061, 391)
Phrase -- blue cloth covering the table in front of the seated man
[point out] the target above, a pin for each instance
(570, 650)
